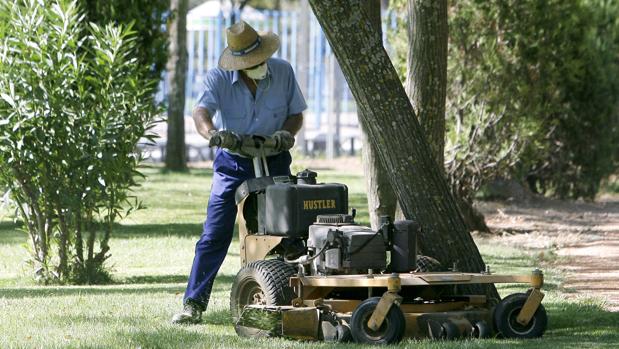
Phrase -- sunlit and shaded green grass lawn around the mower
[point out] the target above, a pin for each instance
(151, 255)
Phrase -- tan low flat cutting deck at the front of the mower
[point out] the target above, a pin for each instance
(468, 315)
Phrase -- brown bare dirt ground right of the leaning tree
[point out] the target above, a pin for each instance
(585, 237)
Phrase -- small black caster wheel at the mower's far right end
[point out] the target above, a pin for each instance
(506, 312)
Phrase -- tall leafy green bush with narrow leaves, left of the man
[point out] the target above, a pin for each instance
(72, 109)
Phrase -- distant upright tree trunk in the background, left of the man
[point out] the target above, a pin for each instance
(177, 69)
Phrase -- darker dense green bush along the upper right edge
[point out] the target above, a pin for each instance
(582, 137)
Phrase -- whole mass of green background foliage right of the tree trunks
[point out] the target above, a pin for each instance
(532, 93)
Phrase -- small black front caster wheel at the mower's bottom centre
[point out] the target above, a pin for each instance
(391, 331)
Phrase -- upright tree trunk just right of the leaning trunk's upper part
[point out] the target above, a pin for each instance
(426, 80)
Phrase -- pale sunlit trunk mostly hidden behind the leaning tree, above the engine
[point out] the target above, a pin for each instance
(381, 198)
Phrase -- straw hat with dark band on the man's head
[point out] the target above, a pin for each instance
(246, 48)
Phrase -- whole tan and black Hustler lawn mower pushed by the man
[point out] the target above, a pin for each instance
(310, 272)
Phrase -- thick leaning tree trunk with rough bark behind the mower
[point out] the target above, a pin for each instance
(402, 147)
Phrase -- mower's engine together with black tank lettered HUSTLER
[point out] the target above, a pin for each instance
(314, 230)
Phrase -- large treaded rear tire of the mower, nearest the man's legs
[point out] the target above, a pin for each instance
(260, 282)
